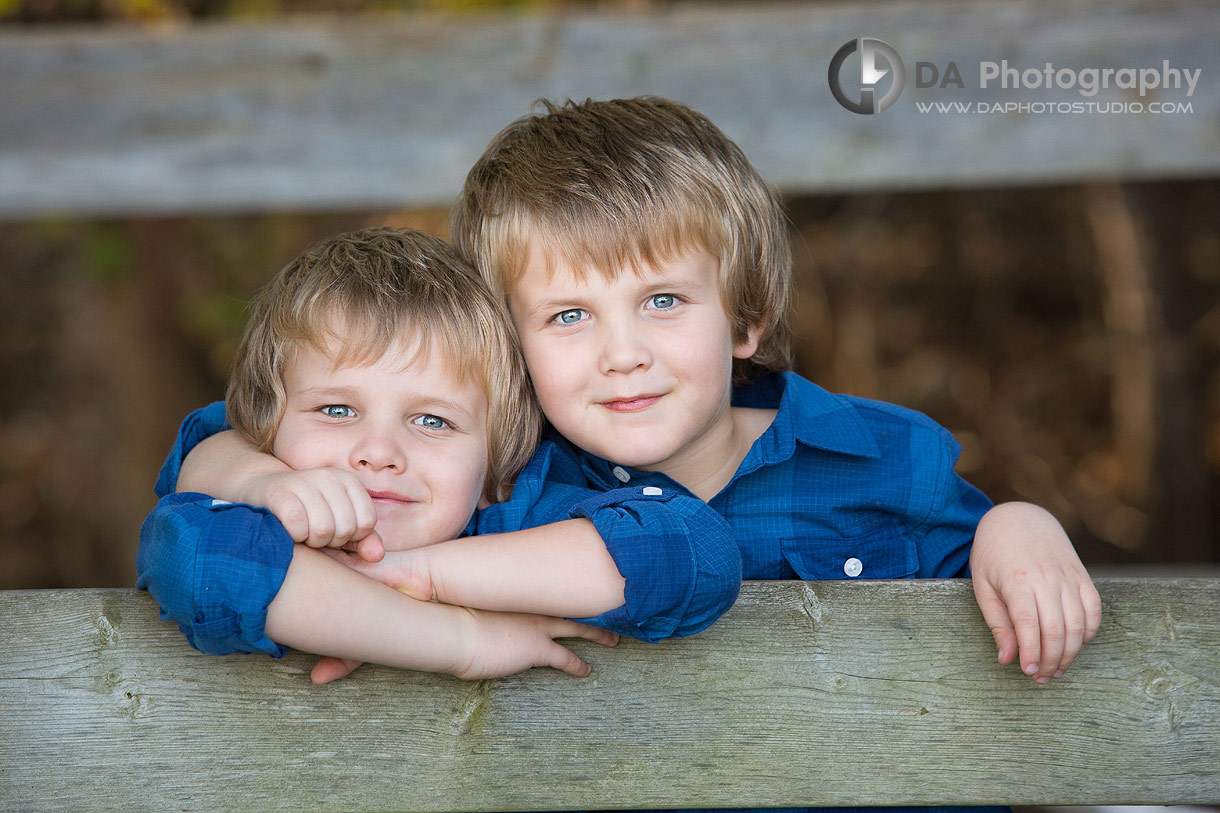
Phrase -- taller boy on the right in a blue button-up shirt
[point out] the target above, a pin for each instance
(647, 269)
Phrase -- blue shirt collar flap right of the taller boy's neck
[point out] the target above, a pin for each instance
(807, 414)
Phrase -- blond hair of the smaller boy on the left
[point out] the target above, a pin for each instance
(358, 294)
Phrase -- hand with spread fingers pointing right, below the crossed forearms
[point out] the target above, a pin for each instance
(504, 644)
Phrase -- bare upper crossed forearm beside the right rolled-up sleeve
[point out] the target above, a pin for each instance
(559, 569)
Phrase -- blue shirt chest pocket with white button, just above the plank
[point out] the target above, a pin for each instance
(886, 555)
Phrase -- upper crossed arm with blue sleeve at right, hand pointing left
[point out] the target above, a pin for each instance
(636, 561)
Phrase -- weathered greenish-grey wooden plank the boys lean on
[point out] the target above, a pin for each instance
(820, 693)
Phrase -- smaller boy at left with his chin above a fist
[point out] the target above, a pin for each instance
(379, 364)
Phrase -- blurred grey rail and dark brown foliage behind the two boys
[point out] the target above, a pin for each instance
(1049, 289)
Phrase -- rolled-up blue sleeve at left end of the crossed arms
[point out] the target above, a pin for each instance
(214, 568)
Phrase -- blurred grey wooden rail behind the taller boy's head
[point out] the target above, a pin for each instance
(364, 113)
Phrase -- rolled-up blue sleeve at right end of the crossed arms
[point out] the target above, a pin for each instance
(679, 557)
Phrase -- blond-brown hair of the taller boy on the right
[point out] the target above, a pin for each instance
(609, 185)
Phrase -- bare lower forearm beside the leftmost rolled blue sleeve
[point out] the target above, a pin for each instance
(326, 609)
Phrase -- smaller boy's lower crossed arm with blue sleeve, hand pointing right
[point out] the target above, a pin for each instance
(235, 583)
